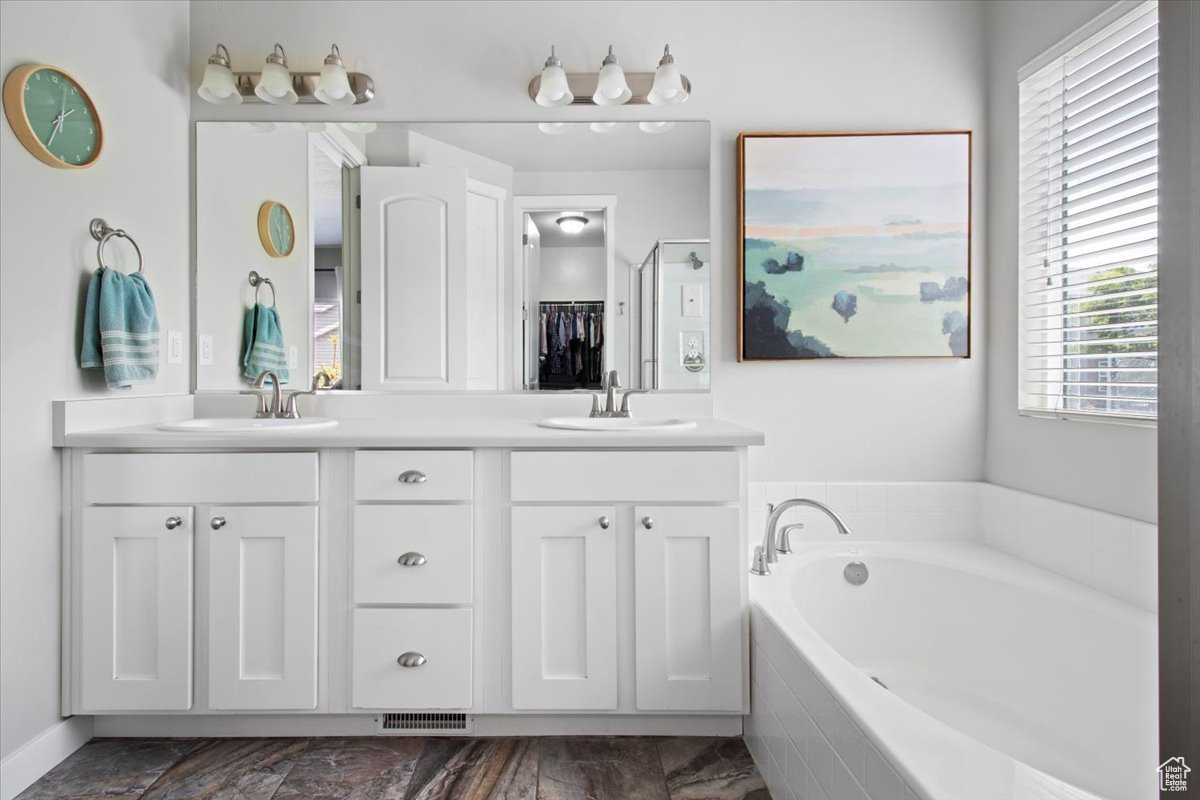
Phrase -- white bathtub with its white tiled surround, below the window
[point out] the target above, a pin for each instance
(821, 729)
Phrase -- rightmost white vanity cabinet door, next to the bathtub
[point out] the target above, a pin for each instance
(689, 615)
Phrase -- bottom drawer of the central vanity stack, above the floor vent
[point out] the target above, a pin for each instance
(442, 636)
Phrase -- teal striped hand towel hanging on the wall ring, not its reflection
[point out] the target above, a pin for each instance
(121, 329)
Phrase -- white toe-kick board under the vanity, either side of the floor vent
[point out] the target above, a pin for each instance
(364, 725)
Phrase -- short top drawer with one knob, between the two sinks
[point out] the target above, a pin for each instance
(400, 476)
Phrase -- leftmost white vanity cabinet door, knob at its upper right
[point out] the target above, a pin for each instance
(136, 646)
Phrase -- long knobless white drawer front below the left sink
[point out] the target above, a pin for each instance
(200, 478)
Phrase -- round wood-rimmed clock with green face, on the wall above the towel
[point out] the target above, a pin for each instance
(53, 117)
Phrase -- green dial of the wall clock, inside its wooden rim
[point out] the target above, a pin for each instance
(61, 117)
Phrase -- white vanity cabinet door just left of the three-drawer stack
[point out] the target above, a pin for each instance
(262, 607)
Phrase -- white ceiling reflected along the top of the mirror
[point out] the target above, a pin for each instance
(525, 148)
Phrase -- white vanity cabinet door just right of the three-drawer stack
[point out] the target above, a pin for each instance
(565, 609)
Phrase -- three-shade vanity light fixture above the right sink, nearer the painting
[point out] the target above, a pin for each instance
(613, 86)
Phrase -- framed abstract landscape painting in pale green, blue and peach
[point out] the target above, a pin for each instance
(855, 245)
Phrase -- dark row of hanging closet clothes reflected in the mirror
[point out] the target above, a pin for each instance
(571, 344)
